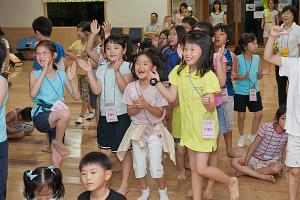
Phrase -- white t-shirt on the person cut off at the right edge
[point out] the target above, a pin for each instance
(291, 68)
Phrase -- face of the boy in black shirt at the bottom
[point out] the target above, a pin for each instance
(93, 176)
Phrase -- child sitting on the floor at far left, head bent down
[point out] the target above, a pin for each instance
(16, 125)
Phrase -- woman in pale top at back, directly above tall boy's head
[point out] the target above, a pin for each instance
(217, 15)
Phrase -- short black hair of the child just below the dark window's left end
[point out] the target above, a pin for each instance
(42, 25)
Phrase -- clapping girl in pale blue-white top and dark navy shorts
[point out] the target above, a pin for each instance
(112, 79)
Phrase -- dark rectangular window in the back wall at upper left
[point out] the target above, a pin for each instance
(71, 13)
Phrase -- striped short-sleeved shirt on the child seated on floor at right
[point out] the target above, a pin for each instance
(272, 143)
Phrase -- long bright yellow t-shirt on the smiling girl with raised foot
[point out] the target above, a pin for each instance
(190, 90)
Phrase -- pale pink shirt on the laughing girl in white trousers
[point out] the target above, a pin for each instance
(151, 95)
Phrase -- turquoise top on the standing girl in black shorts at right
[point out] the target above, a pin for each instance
(242, 86)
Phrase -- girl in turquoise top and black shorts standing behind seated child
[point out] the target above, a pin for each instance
(246, 86)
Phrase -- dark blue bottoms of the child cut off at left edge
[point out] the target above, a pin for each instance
(3, 168)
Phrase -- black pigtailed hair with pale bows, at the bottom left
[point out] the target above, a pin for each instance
(43, 177)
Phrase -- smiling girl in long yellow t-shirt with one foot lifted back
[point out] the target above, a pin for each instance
(195, 85)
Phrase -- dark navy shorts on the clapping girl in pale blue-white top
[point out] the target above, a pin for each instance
(110, 134)
